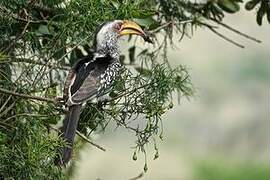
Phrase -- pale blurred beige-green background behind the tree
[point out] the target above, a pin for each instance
(220, 134)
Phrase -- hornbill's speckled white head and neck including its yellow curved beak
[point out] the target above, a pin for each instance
(108, 34)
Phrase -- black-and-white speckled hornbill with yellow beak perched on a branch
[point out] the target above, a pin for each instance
(93, 75)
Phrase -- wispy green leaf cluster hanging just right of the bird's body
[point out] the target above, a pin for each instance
(146, 95)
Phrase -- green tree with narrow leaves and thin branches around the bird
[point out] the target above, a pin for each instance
(41, 39)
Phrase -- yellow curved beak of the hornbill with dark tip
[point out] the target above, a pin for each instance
(130, 27)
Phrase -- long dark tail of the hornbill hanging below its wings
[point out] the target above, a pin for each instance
(68, 132)
